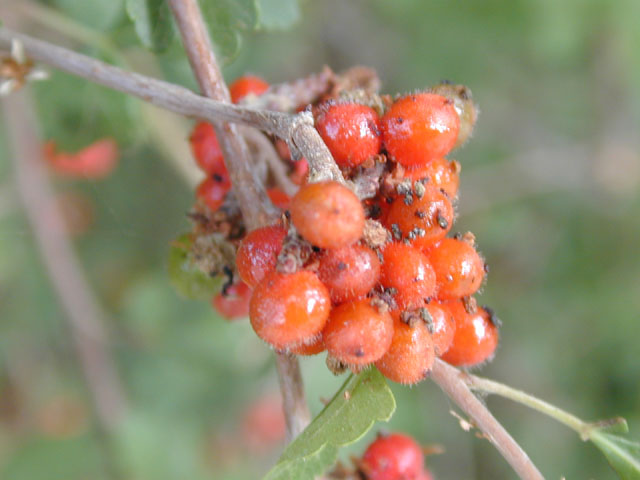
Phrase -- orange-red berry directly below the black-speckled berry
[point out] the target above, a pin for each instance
(408, 271)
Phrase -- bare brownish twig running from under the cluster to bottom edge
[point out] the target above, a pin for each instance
(452, 382)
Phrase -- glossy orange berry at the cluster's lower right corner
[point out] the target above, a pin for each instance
(475, 339)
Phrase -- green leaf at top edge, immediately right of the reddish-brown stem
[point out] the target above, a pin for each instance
(226, 20)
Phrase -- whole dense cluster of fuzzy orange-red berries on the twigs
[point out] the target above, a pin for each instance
(372, 277)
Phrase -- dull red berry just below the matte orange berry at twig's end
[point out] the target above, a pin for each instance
(349, 272)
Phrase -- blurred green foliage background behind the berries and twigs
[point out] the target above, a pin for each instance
(550, 187)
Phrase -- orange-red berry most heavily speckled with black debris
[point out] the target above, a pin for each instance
(422, 220)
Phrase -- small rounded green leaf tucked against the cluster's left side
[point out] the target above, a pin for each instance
(186, 277)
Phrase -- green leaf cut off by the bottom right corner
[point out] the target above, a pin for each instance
(623, 455)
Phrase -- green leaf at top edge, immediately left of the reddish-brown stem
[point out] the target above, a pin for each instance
(152, 21)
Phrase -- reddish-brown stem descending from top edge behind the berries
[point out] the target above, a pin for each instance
(256, 207)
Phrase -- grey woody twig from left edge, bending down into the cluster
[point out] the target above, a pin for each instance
(297, 130)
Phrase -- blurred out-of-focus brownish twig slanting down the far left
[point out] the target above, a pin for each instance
(85, 318)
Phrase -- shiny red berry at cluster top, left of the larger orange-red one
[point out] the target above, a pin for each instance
(351, 131)
